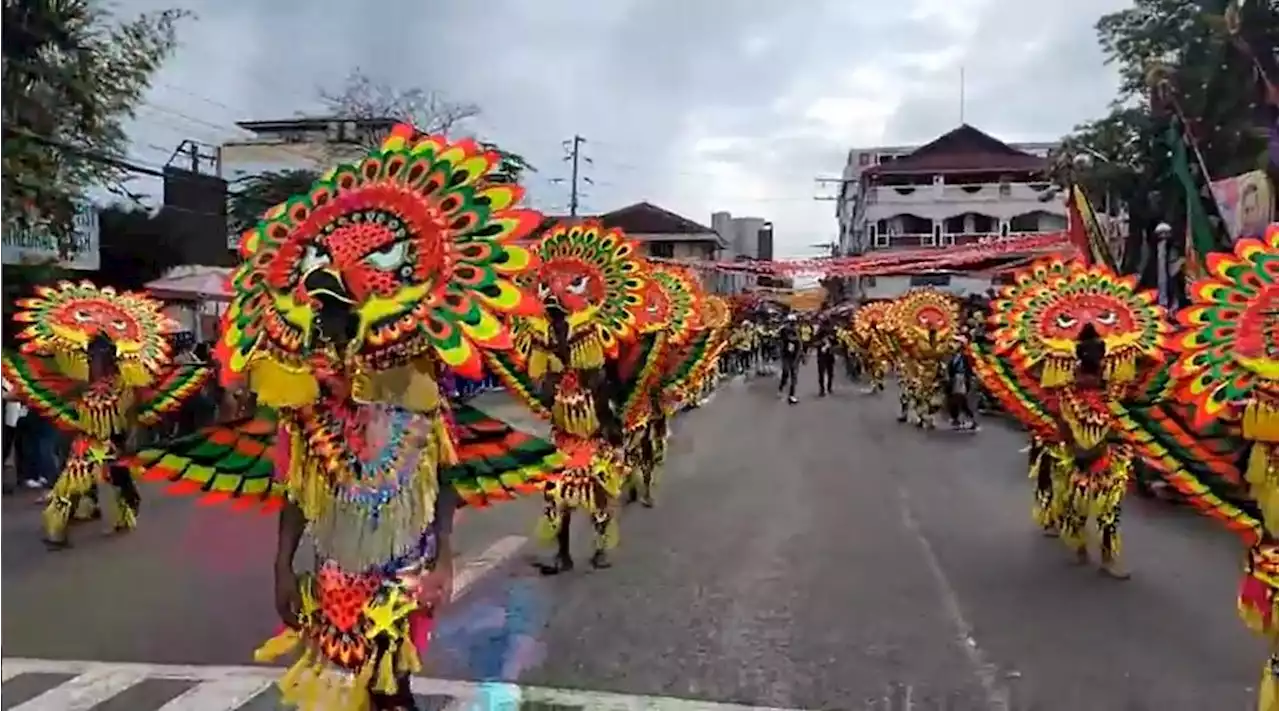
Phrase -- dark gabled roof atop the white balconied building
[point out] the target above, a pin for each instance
(963, 149)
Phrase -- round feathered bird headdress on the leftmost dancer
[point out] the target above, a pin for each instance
(65, 320)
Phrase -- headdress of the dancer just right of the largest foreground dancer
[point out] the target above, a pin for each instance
(596, 277)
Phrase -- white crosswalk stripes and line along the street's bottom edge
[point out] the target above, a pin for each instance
(235, 682)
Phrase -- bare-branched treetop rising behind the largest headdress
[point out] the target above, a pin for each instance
(363, 98)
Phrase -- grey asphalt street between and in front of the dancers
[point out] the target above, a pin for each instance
(799, 558)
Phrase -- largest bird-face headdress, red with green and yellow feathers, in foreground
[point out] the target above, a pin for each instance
(405, 254)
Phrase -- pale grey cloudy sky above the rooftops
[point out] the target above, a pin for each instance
(697, 106)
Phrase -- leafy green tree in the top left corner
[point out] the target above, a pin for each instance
(74, 75)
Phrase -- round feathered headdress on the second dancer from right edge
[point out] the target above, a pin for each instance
(1037, 320)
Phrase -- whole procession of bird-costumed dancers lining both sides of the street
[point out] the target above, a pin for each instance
(355, 302)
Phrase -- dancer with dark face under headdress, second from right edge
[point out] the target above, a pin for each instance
(1068, 345)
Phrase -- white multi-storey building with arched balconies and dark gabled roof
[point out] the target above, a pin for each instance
(957, 190)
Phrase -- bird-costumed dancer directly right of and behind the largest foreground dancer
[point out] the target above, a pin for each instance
(591, 281)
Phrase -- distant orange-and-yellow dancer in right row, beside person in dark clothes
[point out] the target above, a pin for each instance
(925, 323)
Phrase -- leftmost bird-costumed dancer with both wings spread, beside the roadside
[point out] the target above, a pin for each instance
(97, 363)
